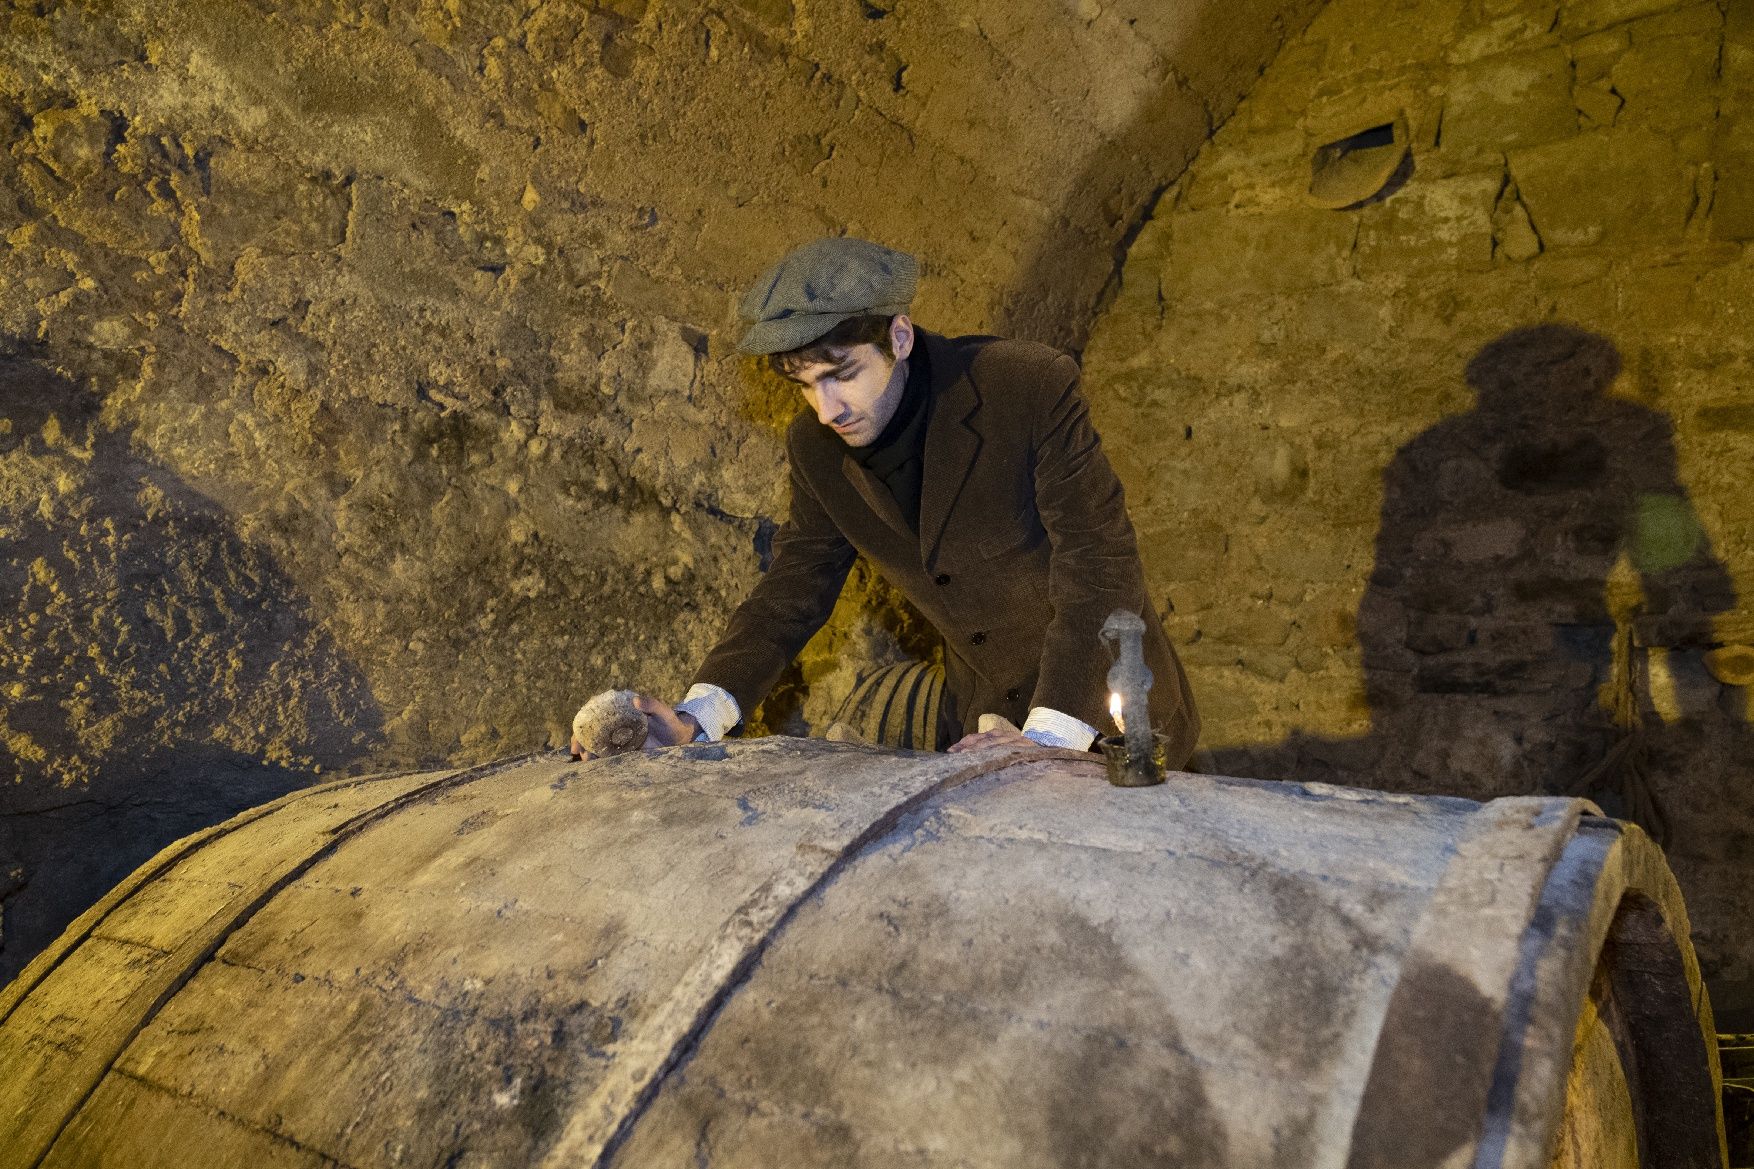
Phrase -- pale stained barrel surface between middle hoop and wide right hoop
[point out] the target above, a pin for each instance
(1013, 952)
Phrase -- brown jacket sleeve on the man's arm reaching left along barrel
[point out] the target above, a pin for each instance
(811, 563)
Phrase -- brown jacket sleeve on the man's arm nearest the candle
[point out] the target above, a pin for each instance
(1094, 564)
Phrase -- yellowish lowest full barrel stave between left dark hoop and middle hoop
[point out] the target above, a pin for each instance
(367, 1073)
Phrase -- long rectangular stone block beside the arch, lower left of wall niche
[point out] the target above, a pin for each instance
(1218, 255)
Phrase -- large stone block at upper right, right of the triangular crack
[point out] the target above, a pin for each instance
(1606, 187)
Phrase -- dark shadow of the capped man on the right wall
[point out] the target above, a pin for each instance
(1529, 554)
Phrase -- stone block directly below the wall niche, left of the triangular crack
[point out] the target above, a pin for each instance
(1444, 224)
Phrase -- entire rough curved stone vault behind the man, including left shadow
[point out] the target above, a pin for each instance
(367, 389)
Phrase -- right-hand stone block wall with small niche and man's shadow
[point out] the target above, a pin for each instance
(1450, 491)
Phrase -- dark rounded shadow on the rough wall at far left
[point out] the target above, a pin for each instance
(157, 673)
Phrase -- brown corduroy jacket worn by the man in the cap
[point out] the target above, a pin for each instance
(1023, 549)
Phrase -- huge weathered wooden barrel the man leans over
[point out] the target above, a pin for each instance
(802, 954)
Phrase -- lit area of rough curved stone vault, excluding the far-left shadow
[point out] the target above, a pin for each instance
(415, 292)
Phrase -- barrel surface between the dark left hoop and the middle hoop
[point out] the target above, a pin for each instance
(471, 968)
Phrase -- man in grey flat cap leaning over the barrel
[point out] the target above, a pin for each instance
(969, 473)
